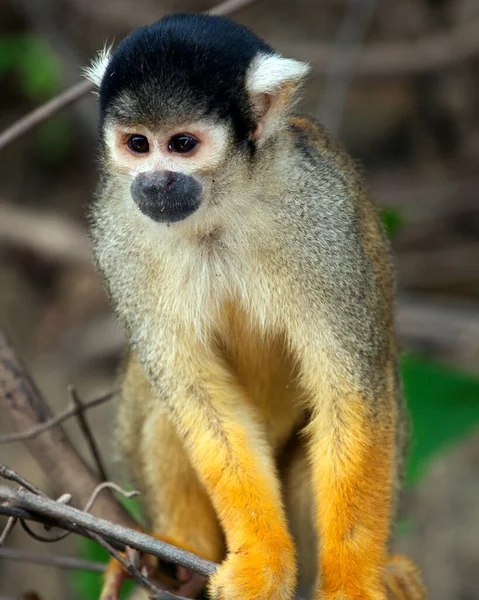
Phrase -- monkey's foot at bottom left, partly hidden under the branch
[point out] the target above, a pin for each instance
(183, 583)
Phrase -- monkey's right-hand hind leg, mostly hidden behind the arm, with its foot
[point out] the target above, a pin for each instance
(401, 576)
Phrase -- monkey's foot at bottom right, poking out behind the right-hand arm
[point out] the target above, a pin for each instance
(403, 579)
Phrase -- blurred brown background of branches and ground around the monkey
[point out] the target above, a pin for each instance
(410, 116)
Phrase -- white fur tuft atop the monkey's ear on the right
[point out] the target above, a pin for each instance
(269, 72)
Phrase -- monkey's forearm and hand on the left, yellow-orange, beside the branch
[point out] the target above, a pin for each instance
(227, 448)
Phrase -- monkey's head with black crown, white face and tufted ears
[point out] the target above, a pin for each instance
(187, 105)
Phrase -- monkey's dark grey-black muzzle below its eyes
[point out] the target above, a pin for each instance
(166, 196)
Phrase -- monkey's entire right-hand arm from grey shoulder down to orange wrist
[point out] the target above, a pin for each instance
(344, 338)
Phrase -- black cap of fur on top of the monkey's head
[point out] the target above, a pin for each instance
(182, 67)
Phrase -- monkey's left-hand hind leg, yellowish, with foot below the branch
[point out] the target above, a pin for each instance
(175, 501)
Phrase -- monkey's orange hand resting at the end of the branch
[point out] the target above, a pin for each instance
(256, 574)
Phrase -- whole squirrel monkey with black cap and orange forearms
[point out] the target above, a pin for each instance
(261, 414)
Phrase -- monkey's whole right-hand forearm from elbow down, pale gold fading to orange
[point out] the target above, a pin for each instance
(352, 453)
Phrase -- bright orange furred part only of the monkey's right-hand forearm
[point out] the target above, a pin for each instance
(353, 479)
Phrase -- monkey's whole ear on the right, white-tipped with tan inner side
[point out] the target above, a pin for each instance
(272, 82)
